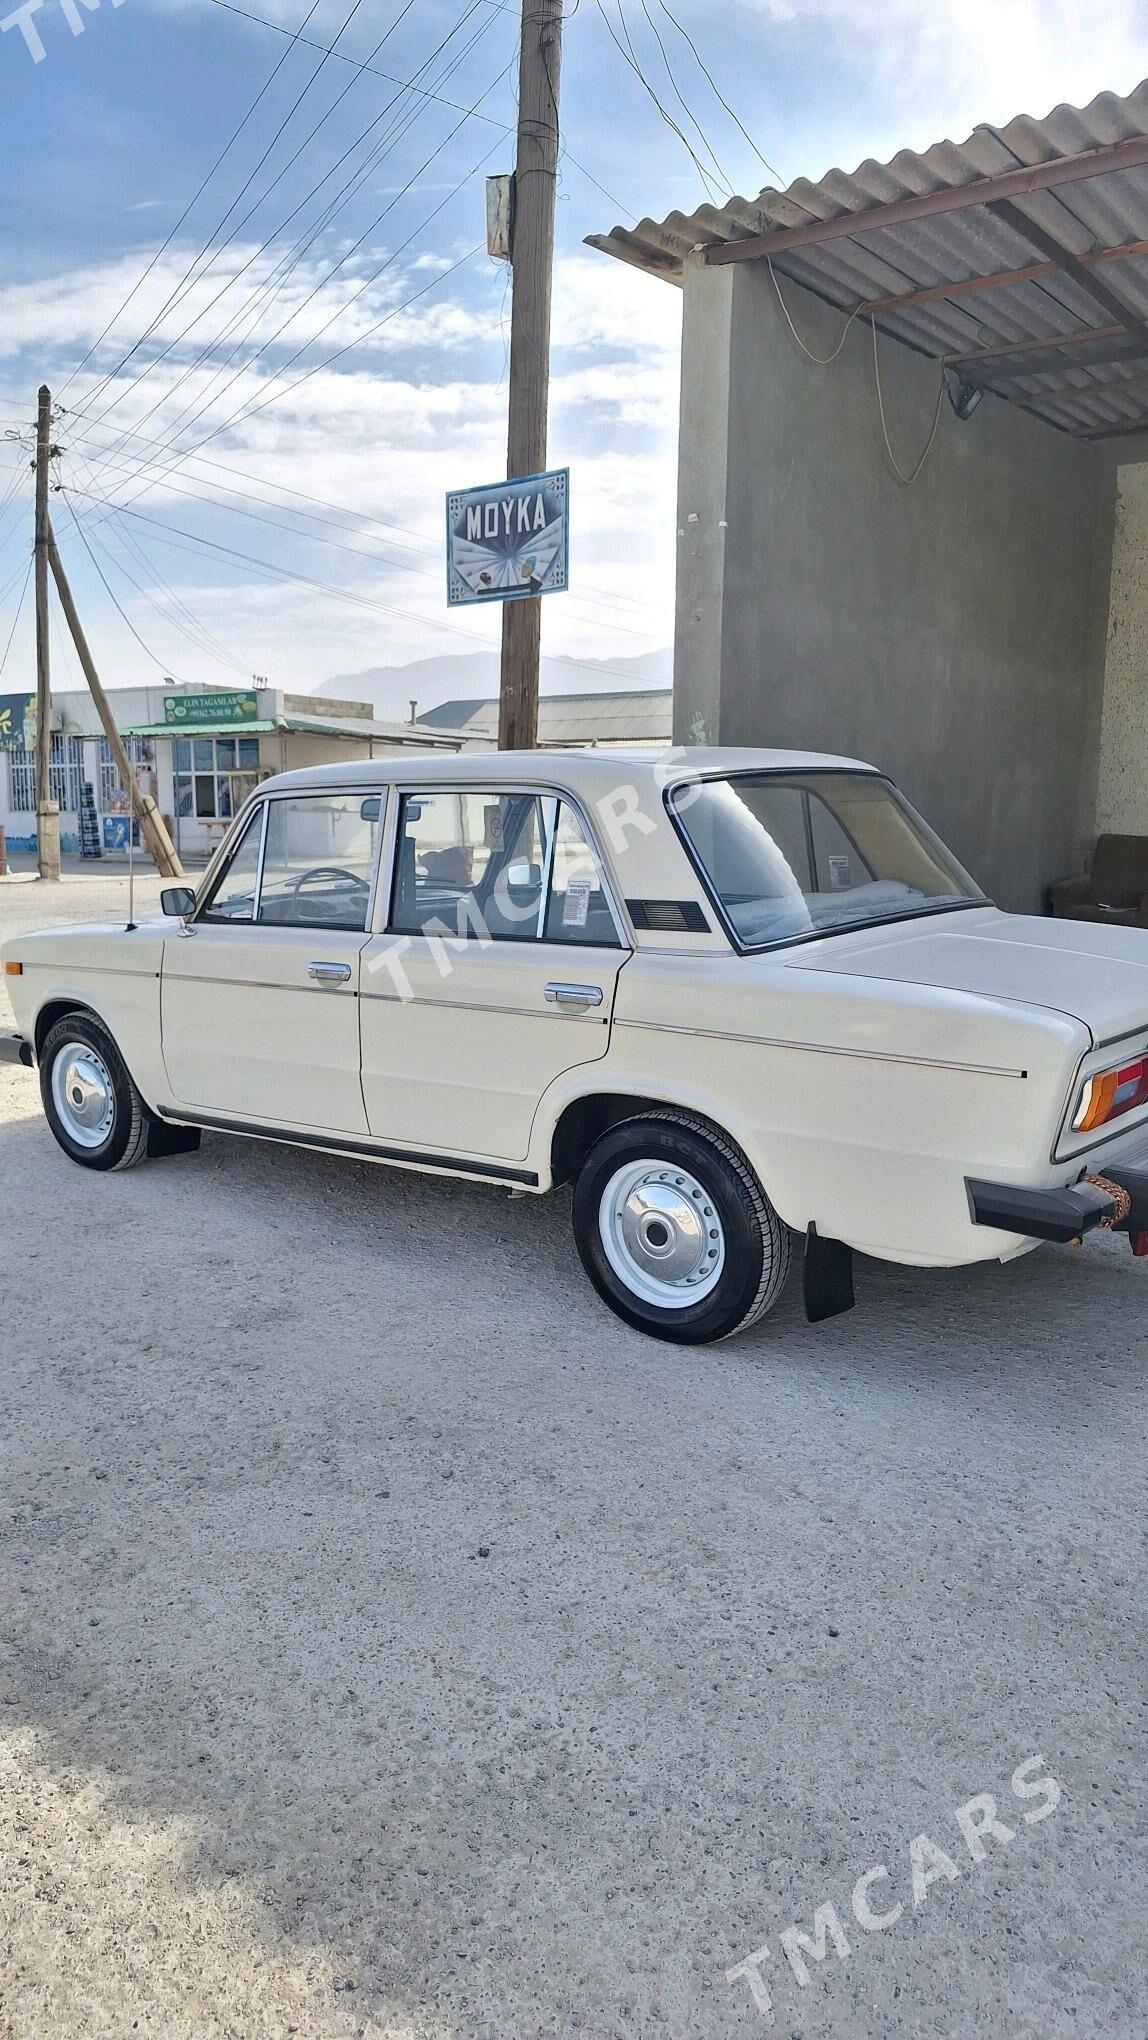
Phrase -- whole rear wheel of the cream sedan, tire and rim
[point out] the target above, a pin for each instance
(676, 1233)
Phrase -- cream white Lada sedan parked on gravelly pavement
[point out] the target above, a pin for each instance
(733, 997)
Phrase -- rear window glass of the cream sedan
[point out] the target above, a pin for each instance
(792, 856)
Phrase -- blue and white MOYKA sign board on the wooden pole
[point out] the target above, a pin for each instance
(509, 540)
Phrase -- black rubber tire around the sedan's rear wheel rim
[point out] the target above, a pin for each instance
(755, 1243)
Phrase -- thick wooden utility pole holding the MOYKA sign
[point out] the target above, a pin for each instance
(533, 266)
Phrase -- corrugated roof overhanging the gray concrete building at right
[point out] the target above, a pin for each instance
(1094, 387)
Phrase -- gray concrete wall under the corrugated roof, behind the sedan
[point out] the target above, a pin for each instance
(951, 631)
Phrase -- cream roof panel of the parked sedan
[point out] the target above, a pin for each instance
(590, 772)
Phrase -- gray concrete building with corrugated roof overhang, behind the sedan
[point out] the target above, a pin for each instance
(912, 515)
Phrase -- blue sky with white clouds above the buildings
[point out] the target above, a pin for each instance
(252, 276)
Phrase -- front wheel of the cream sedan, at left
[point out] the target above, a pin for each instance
(91, 1103)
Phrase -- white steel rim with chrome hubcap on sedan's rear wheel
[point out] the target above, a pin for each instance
(662, 1235)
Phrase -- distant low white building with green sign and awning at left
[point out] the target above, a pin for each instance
(199, 752)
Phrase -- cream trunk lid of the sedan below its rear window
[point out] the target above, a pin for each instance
(1096, 974)
